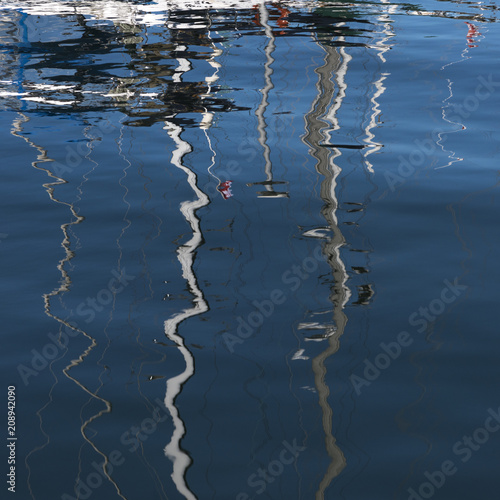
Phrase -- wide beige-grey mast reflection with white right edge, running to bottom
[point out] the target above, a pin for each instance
(321, 113)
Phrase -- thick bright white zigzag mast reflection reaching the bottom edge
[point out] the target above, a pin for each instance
(185, 254)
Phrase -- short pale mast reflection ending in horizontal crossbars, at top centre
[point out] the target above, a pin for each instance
(261, 121)
